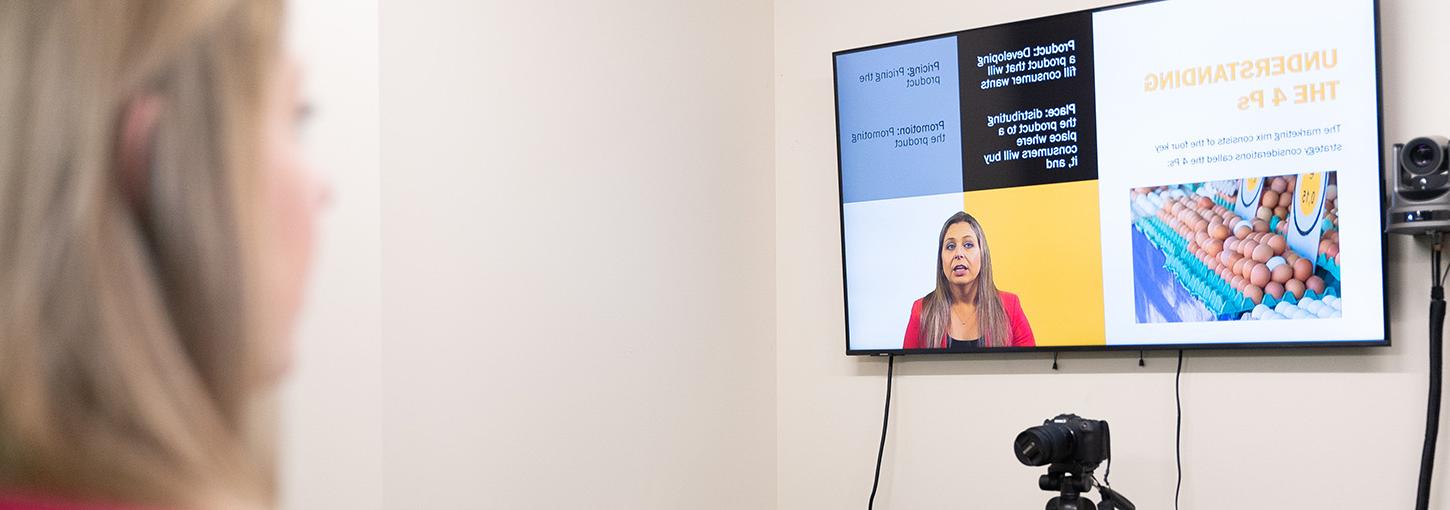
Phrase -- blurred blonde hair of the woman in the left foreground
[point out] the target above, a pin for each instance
(128, 327)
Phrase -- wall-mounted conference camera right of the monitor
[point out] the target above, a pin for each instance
(1420, 188)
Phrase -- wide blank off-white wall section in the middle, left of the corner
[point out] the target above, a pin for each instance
(578, 256)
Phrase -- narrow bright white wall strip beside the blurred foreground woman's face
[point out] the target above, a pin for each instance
(331, 415)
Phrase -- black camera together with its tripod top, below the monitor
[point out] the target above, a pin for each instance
(1072, 448)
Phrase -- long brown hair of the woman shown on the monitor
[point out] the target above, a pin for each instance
(993, 322)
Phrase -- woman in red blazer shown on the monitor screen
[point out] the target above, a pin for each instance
(966, 309)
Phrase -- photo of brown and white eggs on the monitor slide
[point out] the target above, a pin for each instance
(1256, 248)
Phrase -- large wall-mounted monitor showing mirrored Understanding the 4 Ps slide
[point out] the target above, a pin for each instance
(1162, 175)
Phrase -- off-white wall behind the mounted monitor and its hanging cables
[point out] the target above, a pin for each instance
(1336, 428)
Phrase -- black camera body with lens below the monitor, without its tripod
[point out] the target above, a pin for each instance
(1065, 440)
